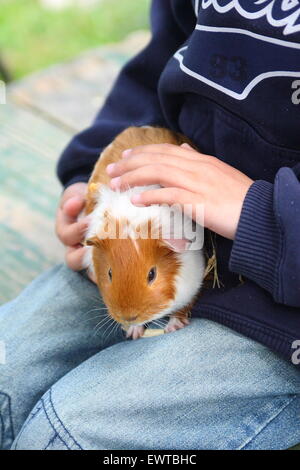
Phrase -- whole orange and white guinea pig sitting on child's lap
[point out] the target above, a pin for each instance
(140, 278)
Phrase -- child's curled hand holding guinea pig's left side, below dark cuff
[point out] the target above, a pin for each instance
(69, 230)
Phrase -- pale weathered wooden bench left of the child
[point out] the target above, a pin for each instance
(42, 113)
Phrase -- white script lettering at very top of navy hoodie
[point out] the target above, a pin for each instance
(279, 13)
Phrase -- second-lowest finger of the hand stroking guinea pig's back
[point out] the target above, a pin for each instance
(164, 175)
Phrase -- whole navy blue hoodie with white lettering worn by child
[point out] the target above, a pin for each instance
(226, 73)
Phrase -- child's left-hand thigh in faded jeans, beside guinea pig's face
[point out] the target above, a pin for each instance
(47, 330)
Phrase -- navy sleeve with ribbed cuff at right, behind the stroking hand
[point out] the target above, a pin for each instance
(267, 244)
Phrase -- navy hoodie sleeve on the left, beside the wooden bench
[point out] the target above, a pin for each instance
(132, 101)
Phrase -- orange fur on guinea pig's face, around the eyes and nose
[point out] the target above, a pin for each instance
(130, 261)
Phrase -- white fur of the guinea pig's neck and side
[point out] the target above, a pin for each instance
(191, 272)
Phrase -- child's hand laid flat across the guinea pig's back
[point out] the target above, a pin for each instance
(186, 177)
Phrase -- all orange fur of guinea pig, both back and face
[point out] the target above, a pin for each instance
(129, 298)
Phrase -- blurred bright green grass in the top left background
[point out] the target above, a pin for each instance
(32, 37)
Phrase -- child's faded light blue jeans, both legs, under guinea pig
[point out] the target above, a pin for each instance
(69, 385)
